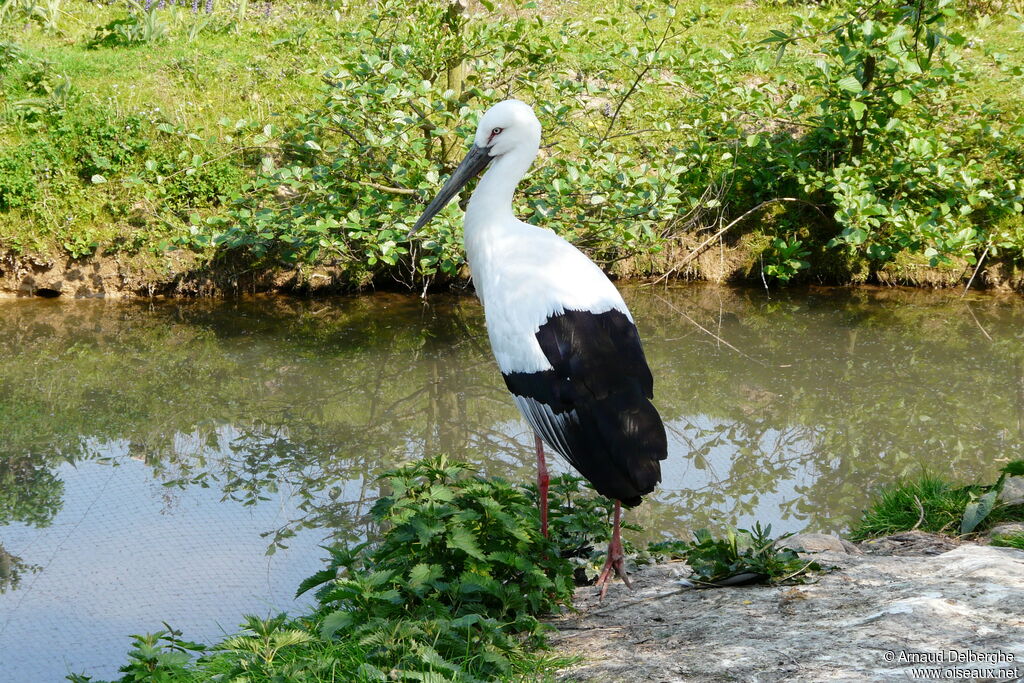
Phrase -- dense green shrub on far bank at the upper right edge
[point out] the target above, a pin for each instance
(888, 122)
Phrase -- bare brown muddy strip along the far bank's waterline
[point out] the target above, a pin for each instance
(182, 274)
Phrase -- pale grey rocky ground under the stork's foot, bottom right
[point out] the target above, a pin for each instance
(913, 607)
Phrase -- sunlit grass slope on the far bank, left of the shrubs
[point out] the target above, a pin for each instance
(250, 71)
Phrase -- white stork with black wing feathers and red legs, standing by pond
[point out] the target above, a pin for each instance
(563, 336)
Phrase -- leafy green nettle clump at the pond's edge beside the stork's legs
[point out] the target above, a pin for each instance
(460, 569)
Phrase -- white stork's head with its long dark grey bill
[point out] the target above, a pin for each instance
(508, 126)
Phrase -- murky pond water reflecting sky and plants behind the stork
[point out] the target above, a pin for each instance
(183, 462)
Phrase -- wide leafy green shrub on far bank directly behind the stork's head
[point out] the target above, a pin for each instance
(394, 123)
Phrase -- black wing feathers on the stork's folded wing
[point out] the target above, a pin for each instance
(593, 407)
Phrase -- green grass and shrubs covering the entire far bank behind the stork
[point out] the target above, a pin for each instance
(836, 142)
